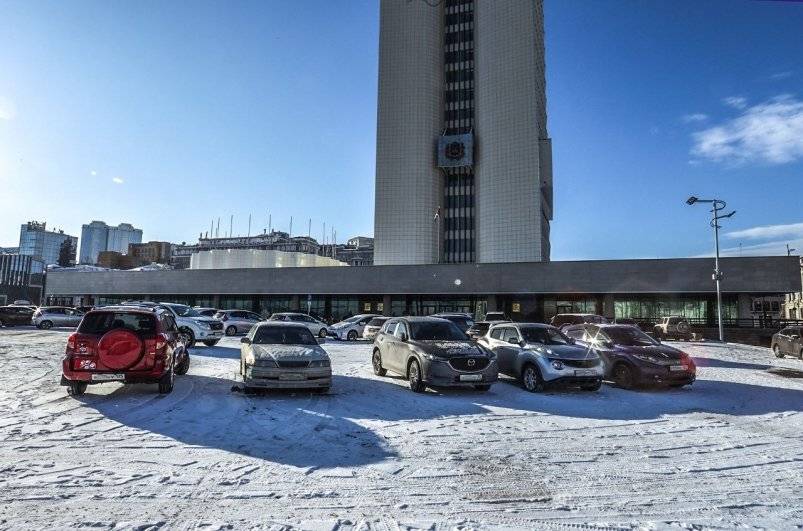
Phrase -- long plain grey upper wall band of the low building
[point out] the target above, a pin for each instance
(777, 274)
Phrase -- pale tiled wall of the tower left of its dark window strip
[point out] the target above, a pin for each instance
(409, 120)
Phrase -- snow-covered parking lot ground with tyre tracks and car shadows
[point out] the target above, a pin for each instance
(726, 452)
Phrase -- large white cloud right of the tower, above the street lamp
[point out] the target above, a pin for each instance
(769, 132)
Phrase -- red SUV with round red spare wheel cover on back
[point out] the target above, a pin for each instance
(124, 344)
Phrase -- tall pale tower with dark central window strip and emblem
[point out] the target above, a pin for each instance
(464, 167)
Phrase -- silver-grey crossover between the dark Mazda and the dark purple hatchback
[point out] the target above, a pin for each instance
(540, 355)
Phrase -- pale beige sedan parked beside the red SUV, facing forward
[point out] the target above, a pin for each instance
(280, 355)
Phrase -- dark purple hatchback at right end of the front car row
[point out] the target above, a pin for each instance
(632, 358)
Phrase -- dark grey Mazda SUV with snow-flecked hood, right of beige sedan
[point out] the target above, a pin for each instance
(429, 351)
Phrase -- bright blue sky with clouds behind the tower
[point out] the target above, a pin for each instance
(169, 114)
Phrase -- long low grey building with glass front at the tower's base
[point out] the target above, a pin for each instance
(533, 291)
